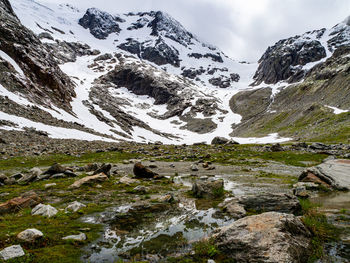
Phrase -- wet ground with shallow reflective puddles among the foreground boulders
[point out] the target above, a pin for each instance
(170, 232)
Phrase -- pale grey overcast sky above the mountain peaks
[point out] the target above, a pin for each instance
(243, 29)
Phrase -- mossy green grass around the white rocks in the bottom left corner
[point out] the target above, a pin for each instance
(51, 248)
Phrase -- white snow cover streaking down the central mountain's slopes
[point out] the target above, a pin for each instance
(61, 21)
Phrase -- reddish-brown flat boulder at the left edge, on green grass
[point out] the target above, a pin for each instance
(29, 199)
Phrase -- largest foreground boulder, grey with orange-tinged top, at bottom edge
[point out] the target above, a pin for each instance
(269, 237)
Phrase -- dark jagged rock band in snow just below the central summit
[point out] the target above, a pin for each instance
(160, 53)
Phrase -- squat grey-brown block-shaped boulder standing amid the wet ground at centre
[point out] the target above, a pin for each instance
(208, 188)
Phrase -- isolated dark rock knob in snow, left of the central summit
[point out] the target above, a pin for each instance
(101, 24)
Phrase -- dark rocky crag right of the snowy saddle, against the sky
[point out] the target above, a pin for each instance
(283, 61)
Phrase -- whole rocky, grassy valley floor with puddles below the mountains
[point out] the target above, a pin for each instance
(158, 203)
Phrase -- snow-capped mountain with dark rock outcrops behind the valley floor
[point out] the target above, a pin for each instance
(139, 76)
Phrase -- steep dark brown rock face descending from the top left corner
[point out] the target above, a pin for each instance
(45, 82)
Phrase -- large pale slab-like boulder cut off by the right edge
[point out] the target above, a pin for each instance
(332, 173)
